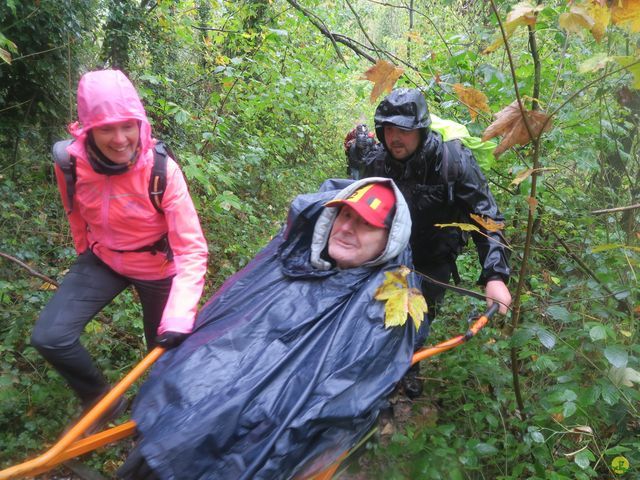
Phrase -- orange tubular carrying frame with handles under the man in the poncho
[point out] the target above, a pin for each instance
(69, 446)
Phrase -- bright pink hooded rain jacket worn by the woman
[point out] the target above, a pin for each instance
(113, 212)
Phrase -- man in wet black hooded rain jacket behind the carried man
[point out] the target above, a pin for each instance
(442, 183)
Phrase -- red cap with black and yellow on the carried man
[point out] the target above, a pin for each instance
(374, 202)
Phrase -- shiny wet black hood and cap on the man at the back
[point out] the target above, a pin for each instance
(404, 108)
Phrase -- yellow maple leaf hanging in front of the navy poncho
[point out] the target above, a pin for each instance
(400, 299)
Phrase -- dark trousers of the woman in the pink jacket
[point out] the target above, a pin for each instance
(89, 286)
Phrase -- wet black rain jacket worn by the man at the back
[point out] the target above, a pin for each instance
(442, 183)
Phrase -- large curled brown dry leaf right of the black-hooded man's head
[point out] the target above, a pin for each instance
(510, 124)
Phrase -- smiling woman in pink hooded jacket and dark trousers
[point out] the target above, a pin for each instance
(120, 237)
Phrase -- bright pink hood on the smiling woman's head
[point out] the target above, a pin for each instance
(107, 96)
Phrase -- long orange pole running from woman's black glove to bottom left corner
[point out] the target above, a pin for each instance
(57, 451)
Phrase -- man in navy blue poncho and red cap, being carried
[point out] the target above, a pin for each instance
(290, 362)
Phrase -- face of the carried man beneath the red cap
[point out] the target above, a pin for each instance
(353, 241)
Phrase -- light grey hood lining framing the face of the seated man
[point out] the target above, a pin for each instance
(399, 232)
